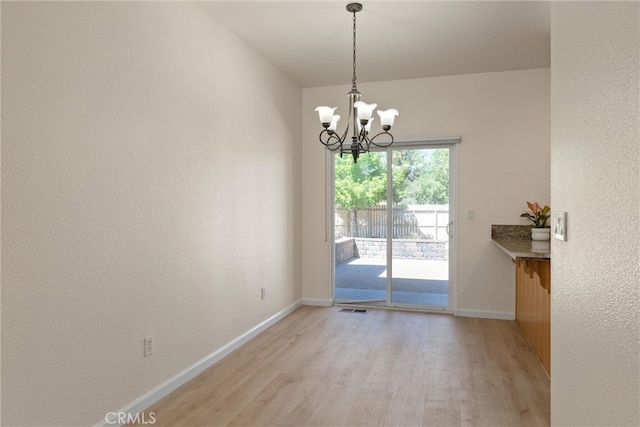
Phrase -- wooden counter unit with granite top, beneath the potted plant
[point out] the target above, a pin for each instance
(532, 261)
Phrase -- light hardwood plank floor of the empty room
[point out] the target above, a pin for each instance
(323, 367)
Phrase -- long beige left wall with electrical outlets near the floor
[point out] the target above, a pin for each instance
(142, 143)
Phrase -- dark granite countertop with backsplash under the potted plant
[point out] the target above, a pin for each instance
(515, 241)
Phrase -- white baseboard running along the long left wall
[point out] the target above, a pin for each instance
(149, 398)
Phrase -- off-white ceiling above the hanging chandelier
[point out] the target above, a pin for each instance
(311, 41)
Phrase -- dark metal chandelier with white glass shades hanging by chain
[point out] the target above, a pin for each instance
(360, 116)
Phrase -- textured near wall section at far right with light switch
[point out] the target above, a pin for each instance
(595, 178)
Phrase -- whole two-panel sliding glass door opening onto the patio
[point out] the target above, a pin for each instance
(391, 223)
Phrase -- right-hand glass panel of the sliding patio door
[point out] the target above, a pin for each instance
(420, 242)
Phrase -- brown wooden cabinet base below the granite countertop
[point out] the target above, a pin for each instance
(533, 298)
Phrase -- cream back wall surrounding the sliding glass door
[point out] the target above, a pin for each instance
(503, 161)
